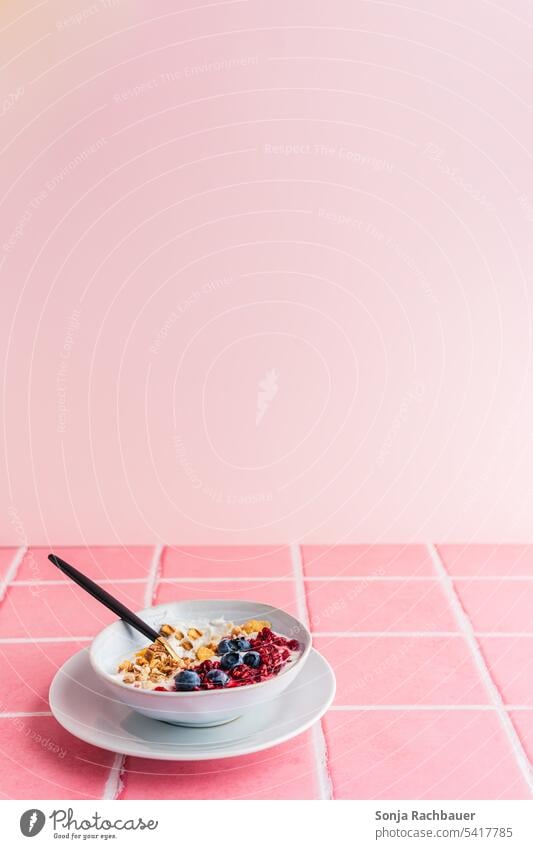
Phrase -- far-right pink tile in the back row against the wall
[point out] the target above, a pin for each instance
(487, 559)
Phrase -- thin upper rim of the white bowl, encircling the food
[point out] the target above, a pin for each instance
(106, 676)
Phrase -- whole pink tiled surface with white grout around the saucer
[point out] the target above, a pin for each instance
(412, 718)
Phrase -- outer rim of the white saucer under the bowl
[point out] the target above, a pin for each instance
(209, 754)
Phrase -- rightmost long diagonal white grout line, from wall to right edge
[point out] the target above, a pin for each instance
(494, 694)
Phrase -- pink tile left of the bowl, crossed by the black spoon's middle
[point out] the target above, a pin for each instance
(56, 610)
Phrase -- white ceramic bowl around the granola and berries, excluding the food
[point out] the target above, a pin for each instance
(202, 707)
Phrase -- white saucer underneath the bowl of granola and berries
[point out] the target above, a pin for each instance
(82, 706)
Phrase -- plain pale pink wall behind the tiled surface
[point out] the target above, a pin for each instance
(266, 271)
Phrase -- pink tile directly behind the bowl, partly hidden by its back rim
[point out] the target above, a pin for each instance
(279, 593)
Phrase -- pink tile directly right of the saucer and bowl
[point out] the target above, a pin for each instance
(402, 670)
